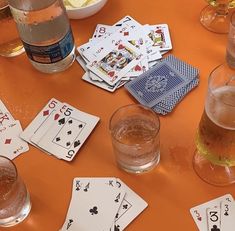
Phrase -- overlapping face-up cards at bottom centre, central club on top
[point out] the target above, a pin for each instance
(102, 204)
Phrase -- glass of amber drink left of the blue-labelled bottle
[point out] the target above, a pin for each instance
(10, 43)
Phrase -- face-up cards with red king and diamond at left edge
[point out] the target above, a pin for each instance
(11, 145)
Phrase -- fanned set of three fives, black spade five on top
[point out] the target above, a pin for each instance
(60, 129)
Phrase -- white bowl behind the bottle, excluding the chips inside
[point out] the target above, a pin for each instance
(84, 12)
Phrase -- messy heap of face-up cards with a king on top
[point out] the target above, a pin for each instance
(115, 54)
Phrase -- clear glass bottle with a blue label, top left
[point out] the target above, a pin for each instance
(46, 34)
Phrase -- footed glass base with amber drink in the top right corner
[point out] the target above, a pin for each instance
(216, 16)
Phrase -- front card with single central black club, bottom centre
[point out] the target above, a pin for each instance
(94, 204)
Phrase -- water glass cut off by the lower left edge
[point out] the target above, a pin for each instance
(15, 202)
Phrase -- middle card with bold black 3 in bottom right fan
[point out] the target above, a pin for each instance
(213, 218)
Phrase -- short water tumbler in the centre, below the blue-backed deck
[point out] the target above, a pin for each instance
(135, 137)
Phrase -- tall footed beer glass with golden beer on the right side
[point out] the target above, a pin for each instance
(214, 159)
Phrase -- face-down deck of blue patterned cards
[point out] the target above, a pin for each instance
(164, 85)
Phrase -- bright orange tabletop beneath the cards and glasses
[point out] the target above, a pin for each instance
(172, 188)
